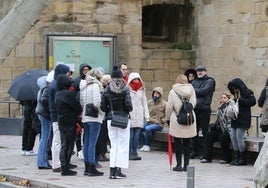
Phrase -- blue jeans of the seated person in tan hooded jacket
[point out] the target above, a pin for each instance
(149, 129)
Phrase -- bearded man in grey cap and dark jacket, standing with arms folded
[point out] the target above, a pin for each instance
(204, 86)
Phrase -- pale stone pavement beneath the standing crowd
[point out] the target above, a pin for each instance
(152, 171)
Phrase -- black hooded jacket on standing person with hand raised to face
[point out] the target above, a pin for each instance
(245, 102)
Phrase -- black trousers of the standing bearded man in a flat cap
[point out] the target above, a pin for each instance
(202, 122)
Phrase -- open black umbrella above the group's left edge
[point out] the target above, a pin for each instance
(24, 86)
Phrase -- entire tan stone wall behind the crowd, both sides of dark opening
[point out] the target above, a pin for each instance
(230, 38)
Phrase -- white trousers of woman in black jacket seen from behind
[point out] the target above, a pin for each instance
(119, 139)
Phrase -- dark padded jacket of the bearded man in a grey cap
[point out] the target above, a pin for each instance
(204, 88)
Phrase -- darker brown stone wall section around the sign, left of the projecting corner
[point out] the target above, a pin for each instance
(118, 17)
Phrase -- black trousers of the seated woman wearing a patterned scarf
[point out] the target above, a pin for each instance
(223, 138)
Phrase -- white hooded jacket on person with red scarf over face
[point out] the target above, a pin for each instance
(140, 111)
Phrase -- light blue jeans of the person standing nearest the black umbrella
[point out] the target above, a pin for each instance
(42, 159)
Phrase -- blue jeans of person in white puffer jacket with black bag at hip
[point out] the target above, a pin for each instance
(91, 133)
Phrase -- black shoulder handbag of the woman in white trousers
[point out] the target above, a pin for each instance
(118, 120)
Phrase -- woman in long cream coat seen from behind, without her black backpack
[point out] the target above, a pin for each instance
(181, 133)
